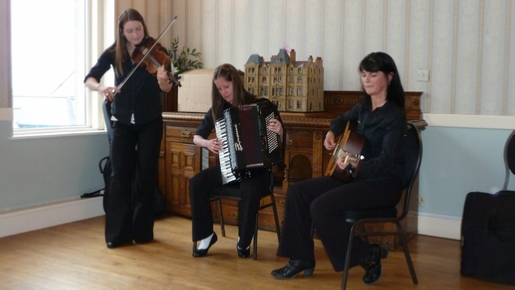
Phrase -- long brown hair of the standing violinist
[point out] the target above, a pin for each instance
(120, 45)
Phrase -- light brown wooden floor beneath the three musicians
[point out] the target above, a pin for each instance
(74, 256)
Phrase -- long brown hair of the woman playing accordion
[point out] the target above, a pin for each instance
(240, 96)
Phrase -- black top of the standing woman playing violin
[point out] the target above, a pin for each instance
(139, 95)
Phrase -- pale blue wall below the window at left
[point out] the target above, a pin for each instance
(43, 170)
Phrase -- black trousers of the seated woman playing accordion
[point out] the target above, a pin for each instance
(251, 191)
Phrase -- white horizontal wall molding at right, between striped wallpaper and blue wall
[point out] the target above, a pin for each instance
(470, 121)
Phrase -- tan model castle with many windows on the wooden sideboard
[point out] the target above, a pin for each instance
(293, 86)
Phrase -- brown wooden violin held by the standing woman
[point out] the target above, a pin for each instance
(155, 58)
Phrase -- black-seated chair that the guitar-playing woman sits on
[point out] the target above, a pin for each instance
(413, 158)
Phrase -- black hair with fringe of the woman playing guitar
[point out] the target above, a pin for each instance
(380, 61)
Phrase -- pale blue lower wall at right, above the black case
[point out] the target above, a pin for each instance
(457, 161)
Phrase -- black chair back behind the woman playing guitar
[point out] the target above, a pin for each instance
(412, 158)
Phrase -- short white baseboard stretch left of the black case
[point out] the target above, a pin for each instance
(441, 226)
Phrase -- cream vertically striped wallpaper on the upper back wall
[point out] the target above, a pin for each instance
(467, 45)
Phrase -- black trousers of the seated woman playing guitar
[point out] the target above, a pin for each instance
(320, 202)
